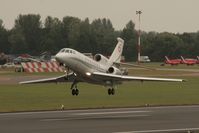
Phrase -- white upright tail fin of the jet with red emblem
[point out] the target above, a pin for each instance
(117, 53)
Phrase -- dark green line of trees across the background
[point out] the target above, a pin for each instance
(30, 35)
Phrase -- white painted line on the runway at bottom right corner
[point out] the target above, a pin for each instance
(164, 130)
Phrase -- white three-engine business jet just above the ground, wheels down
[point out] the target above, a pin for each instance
(99, 70)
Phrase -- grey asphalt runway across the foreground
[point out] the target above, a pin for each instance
(124, 120)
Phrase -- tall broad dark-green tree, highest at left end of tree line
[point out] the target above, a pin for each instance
(27, 29)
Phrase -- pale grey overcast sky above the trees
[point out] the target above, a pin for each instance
(158, 15)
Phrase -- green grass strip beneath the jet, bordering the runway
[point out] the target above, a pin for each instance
(51, 96)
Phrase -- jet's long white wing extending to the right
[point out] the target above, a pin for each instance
(108, 76)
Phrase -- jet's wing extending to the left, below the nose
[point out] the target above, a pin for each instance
(63, 78)
